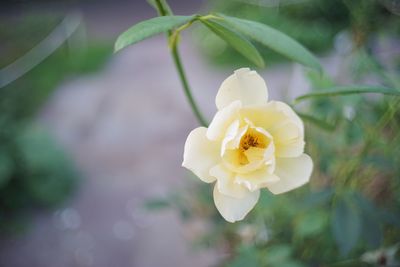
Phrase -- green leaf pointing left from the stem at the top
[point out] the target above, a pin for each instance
(148, 28)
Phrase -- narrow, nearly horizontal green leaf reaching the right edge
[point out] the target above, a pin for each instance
(349, 90)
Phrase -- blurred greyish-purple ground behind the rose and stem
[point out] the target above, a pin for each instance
(125, 128)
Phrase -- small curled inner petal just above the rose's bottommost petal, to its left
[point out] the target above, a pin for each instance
(226, 182)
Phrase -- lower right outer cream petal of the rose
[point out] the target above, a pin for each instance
(293, 173)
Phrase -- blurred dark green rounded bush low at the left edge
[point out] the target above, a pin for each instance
(36, 173)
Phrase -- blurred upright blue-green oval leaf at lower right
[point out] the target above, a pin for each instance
(346, 225)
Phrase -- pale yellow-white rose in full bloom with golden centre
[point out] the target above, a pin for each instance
(250, 144)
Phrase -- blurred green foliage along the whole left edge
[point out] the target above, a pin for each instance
(35, 172)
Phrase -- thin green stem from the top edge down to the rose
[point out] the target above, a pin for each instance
(162, 10)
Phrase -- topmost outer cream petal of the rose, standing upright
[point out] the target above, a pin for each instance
(244, 85)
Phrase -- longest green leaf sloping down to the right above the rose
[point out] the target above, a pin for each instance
(274, 39)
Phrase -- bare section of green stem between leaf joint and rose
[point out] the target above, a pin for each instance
(186, 87)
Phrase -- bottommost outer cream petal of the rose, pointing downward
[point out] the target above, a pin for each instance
(235, 209)
